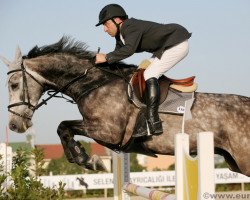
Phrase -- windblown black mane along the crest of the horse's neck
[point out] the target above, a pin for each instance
(64, 45)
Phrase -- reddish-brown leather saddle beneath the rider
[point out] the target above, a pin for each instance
(139, 85)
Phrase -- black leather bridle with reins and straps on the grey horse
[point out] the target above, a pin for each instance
(25, 88)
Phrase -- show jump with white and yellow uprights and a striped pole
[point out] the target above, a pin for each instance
(194, 176)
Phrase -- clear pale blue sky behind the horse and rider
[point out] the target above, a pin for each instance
(218, 56)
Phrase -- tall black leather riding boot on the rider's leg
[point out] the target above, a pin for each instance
(152, 101)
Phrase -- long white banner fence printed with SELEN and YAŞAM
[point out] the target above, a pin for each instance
(147, 179)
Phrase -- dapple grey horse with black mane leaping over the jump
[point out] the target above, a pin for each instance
(108, 116)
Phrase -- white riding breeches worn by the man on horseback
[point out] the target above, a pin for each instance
(169, 58)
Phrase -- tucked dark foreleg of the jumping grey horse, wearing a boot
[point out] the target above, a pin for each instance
(73, 150)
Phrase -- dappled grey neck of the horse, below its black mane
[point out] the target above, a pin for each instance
(58, 71)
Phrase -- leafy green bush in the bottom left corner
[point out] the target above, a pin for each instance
(25, 186)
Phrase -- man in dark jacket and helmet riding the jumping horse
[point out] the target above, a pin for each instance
(167, 42)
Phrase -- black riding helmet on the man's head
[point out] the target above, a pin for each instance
(109, 12)
